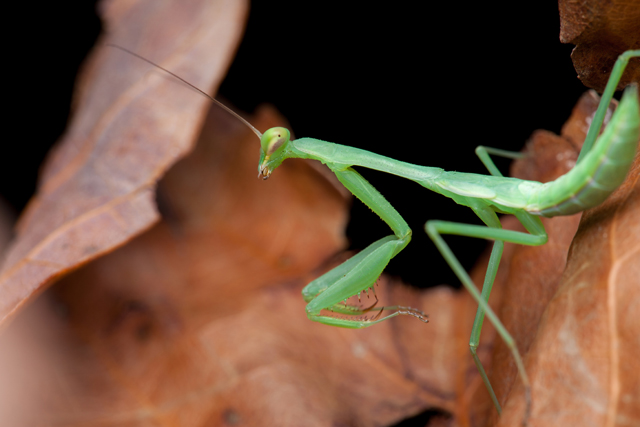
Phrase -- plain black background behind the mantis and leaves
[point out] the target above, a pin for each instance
(420, 86)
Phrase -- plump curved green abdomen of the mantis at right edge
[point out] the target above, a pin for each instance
(591, 181)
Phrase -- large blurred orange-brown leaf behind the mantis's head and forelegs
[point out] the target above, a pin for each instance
(200, 321)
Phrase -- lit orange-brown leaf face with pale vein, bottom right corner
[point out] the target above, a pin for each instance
(583, 362)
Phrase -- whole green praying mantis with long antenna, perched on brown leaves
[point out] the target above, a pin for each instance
(600, 169)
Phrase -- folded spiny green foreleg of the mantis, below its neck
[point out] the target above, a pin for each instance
(360, 272)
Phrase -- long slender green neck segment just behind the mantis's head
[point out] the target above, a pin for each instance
(330, 153)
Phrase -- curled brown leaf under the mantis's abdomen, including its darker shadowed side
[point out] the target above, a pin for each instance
(575, 328)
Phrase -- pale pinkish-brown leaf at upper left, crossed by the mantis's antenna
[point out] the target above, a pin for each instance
(97, 188)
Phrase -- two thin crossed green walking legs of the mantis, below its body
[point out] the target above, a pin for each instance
(492, 231)
